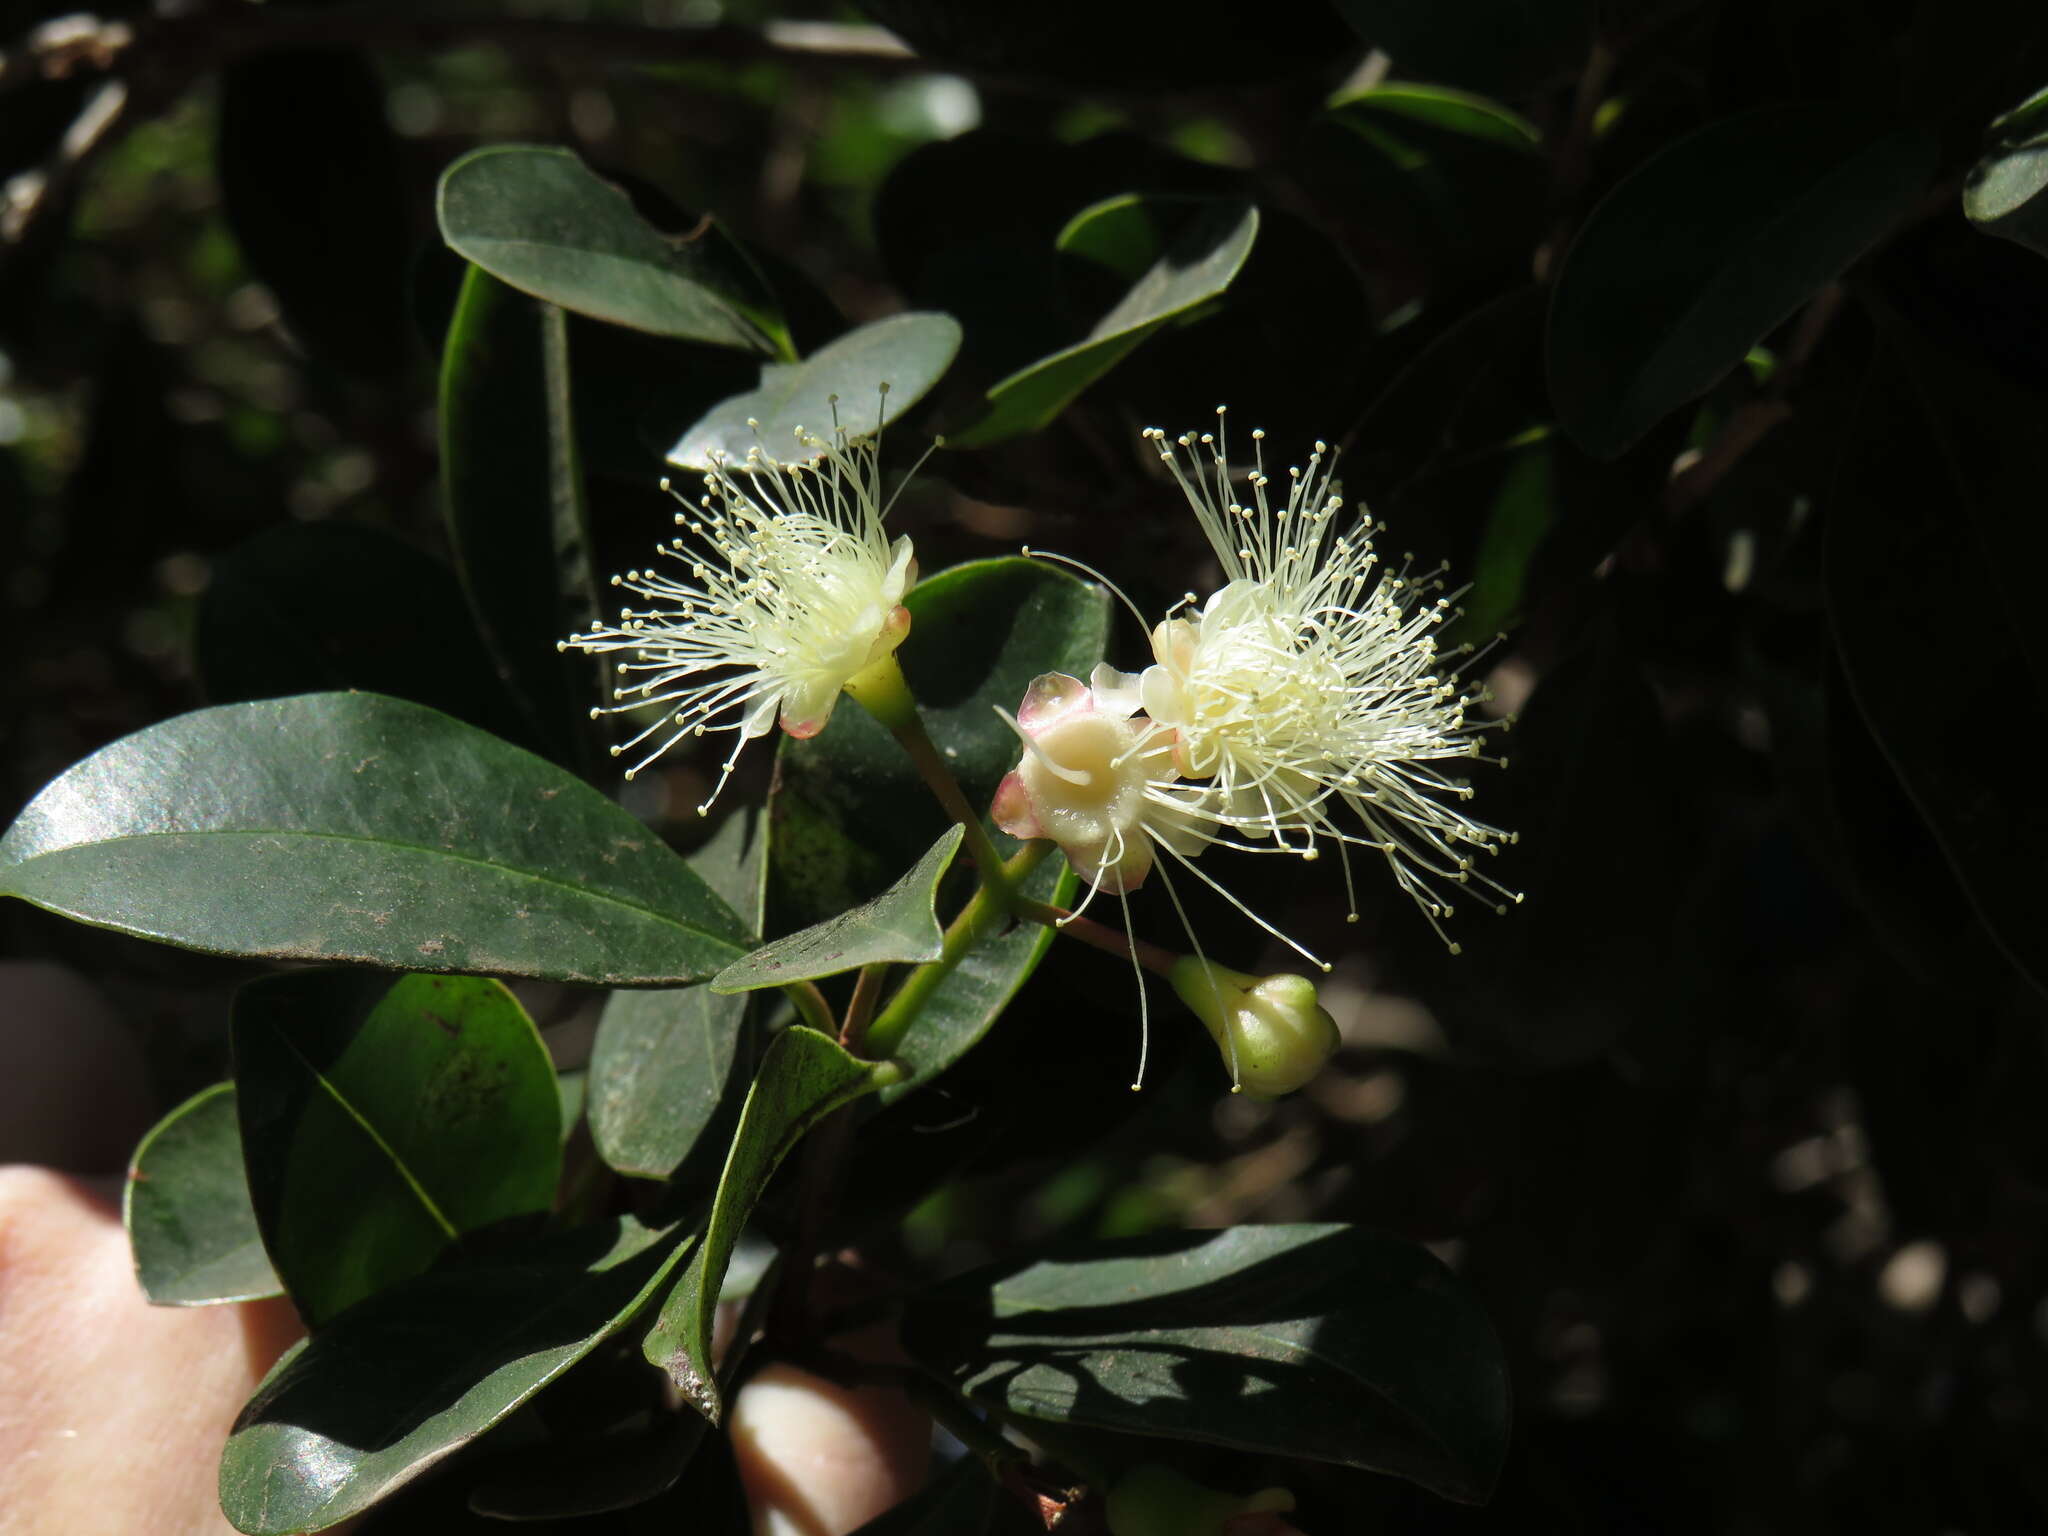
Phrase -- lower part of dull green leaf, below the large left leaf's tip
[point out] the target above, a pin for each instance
(660, 1070)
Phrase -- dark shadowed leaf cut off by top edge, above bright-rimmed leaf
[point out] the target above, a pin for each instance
(1482, 44)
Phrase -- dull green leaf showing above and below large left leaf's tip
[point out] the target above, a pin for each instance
(667, 1062)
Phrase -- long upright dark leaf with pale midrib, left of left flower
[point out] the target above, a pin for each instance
(515, 503)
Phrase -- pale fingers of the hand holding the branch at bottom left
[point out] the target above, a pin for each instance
(114, 1412)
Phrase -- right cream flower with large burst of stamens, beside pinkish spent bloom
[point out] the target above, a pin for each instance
(1310, 693)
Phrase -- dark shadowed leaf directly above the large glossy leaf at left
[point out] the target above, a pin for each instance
(286, 615)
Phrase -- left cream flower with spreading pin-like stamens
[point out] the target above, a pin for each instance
(787, 589)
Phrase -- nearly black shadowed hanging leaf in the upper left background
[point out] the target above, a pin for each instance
(314, 194)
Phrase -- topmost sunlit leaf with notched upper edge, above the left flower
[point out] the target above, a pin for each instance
(550, 226)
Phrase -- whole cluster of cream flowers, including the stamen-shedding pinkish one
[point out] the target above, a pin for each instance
(1304, 706)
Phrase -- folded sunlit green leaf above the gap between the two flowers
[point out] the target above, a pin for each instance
(1199, 245)
